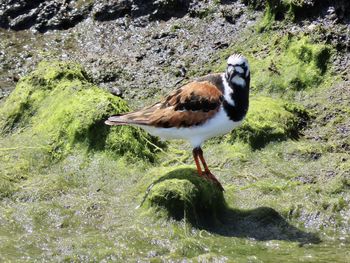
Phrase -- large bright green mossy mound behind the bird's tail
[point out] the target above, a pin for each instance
(58, 105)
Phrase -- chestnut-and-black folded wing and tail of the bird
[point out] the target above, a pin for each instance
(192, 104)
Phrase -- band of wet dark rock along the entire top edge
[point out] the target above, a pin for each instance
(60, 14)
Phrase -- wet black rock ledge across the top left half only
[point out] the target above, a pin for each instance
(55, 14)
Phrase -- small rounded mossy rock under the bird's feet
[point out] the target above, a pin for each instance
(183, 194)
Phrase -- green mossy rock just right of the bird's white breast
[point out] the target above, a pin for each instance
(269, 120)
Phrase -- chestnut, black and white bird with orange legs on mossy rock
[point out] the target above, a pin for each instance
(208, 106)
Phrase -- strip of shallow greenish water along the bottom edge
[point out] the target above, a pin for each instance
(147, 241)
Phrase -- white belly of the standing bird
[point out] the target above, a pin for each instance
(219, 124)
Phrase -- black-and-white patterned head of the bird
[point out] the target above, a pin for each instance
(237, 71)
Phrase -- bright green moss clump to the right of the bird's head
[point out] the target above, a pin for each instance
(294, 65)
